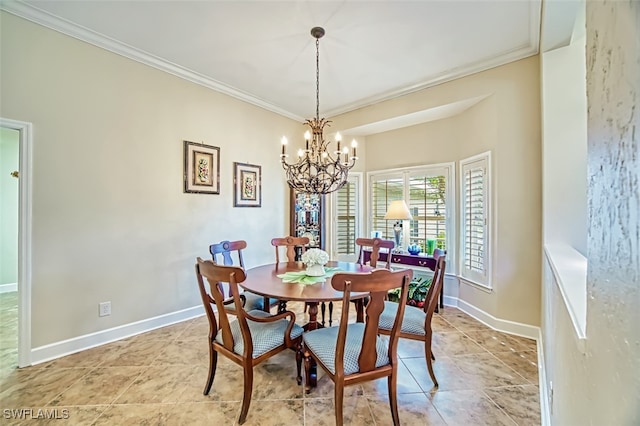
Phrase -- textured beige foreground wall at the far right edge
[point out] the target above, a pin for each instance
(599, 383)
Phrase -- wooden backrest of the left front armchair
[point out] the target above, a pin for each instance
(215, 276)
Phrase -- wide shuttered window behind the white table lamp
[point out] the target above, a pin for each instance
(426, 192)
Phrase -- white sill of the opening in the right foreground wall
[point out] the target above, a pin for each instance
(569, 268)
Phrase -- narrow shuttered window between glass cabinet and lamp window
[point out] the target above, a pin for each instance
(346, 218)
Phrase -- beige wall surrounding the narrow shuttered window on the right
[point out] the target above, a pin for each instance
(507, 123)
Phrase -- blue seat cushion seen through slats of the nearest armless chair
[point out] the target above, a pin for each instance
(322, 343)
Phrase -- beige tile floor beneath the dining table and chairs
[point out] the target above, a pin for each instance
(156, 378)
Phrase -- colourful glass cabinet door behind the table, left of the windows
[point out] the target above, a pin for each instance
(306, 217)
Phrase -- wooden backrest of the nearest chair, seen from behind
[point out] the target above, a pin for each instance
(377, 283)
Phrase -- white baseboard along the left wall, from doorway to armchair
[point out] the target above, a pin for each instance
(88, 341)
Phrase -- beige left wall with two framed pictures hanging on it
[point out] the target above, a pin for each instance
(110, 219)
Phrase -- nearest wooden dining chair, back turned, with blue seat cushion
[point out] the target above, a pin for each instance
(355, 352)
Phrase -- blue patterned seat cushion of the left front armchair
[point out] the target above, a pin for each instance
(265, 335)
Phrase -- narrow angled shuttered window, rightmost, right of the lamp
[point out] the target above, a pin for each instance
(474, 219)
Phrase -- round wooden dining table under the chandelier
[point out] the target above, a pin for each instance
(263, 280)
